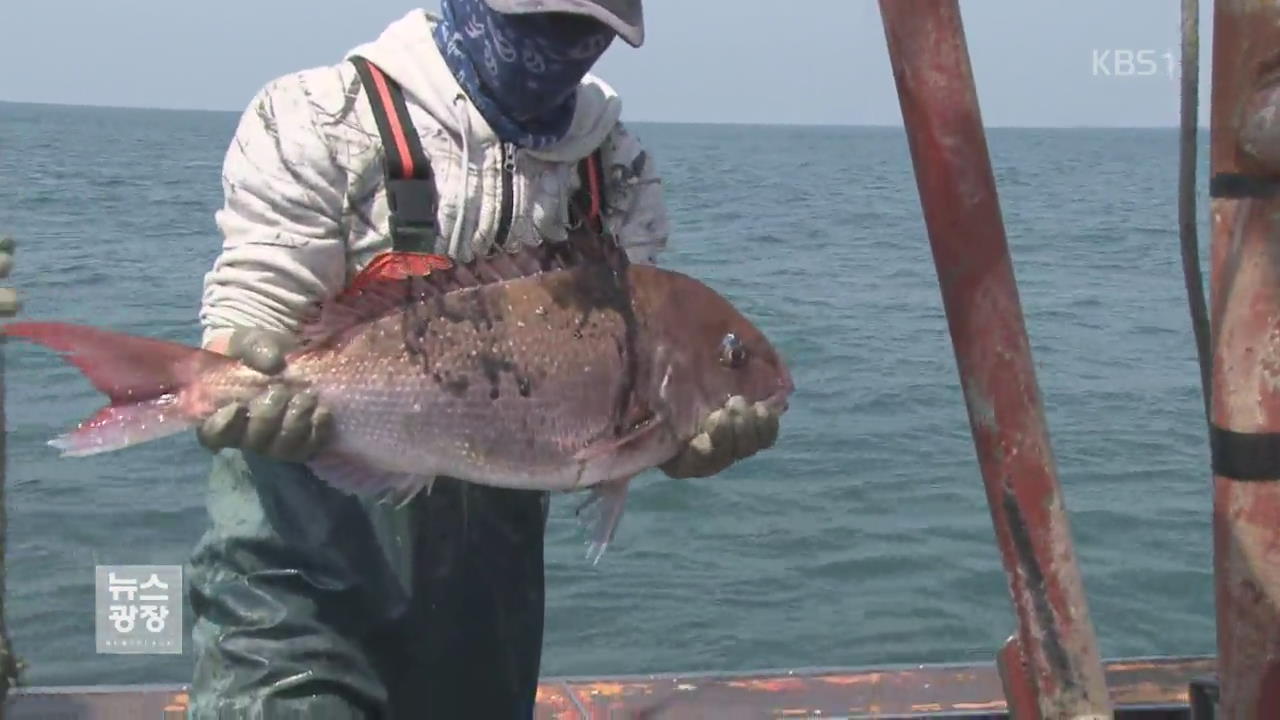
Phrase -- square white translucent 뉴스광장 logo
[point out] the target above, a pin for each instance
(139, 609)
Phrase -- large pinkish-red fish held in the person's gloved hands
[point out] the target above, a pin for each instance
(515, 371)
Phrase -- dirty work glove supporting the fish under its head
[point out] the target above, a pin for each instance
(729, 435)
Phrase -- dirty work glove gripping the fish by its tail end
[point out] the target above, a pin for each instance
(278, 422)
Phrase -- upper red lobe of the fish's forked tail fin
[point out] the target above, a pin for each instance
(125, 368)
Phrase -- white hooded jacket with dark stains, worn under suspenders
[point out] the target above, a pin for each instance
(304, 176)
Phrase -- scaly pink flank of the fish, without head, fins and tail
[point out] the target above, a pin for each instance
(482, 345)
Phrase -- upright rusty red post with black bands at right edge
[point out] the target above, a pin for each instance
(1245, 186)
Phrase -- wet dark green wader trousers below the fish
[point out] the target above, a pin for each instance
(313, 604)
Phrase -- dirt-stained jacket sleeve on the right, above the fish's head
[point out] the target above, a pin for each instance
(637, 211)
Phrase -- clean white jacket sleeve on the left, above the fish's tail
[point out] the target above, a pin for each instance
(284, 247)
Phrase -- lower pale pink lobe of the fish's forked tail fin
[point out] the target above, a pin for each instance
(122, 426)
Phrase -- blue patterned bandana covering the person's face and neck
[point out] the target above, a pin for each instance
(523, 71)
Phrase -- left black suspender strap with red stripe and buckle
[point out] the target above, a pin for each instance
(410, 181)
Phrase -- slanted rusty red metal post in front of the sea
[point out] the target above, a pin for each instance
(1054, 666)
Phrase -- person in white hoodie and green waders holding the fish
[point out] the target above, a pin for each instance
(470, 131)
